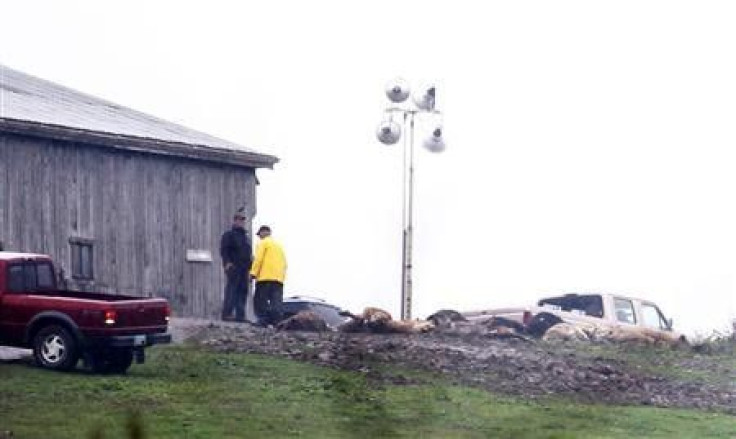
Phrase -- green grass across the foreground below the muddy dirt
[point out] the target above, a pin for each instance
(185, 392)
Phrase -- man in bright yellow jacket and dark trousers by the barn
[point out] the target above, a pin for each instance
(269, 271)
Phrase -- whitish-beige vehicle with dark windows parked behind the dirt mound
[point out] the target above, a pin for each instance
(600, 310)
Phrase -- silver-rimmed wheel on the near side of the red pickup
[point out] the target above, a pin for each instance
(55, 348)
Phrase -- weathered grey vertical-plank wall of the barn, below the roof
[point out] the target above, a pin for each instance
(142, 212)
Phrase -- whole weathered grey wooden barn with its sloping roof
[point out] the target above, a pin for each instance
(123, 201)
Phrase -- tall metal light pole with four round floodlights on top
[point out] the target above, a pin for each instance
(389, 132)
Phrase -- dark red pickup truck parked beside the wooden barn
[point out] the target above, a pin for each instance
(108, 331)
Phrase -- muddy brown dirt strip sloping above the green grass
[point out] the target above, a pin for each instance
(512, 366)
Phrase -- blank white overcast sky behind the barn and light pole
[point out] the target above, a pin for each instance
(590, 144)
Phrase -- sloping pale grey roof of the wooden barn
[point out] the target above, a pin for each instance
(33, 106)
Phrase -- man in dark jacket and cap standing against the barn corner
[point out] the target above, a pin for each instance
(236, 253)
